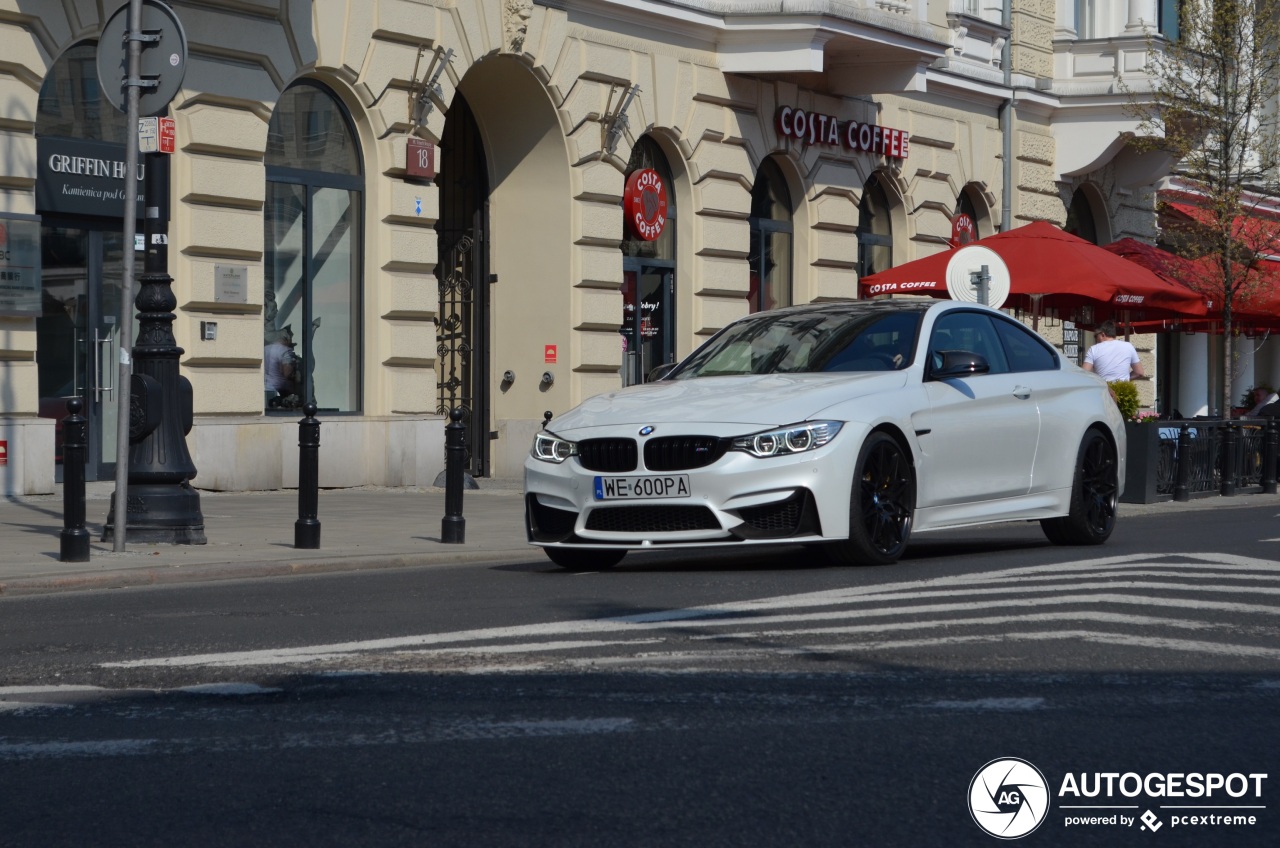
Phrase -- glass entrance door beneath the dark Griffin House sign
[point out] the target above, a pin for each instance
(79, 338)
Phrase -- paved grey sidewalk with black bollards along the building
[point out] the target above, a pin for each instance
(252, 535)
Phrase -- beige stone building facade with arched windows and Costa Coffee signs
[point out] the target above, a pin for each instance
(431, 202)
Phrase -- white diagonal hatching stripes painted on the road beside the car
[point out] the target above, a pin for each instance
(1066, 585)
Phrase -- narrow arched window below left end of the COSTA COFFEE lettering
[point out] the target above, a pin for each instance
(771, 240)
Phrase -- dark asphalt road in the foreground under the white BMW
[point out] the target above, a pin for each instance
(675, 701)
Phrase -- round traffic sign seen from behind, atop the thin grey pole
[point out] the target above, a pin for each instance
(164, 61)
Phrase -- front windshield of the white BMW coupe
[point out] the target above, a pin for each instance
(797, 343)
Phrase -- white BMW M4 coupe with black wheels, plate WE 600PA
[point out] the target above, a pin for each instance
(848, 427)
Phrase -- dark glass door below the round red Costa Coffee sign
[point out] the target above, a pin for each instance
(648, 327)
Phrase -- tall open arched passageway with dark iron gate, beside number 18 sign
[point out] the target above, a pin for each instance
(506, 177)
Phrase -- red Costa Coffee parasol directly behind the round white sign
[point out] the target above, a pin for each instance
(1066, 271)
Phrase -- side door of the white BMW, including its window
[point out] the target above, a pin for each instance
(981, 432)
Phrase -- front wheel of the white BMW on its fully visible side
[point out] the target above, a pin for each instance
(881, 507)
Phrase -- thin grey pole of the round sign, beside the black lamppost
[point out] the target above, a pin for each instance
(125, 381)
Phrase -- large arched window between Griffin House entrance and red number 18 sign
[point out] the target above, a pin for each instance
(313, 259)
